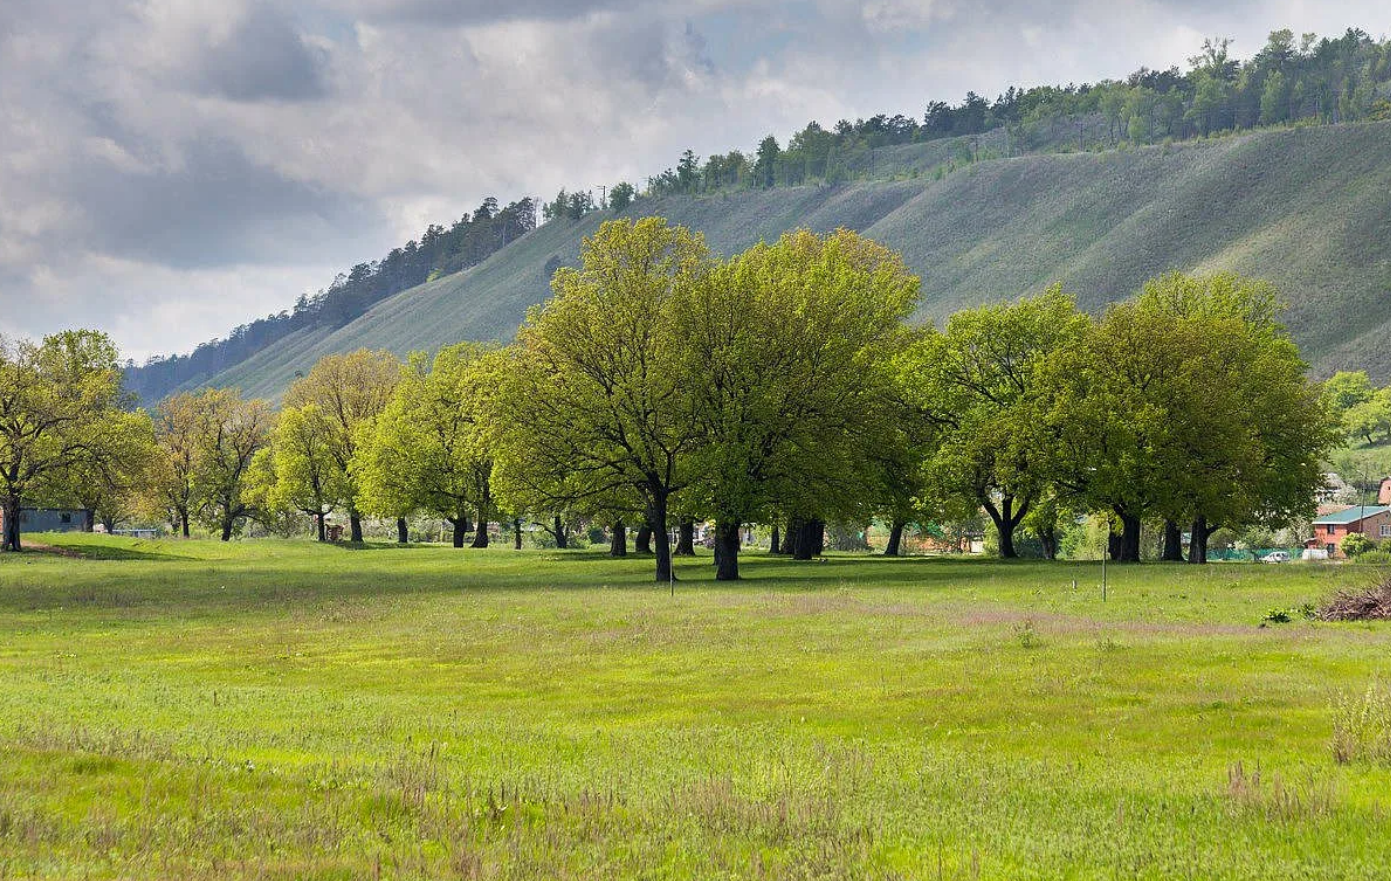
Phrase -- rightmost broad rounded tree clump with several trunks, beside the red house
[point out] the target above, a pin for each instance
(1189, 404)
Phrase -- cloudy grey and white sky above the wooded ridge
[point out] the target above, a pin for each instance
(170, 169)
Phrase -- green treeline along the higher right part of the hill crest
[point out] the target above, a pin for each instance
(1290, 80)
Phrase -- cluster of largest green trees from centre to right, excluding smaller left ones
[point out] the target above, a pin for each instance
(785, 388)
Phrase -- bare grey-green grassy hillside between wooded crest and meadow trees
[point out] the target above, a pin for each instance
(1310, 209)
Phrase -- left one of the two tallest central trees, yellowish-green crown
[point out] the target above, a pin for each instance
(593, 400)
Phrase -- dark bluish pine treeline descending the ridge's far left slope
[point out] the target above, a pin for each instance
(439, 253)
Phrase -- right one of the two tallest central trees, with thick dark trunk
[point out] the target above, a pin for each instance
(788, 353)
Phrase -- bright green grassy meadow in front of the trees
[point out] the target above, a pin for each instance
(284, 711)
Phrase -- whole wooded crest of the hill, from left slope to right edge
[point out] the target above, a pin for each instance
(1292, 81)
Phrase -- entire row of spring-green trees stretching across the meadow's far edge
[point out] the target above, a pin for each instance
(661, 388)
